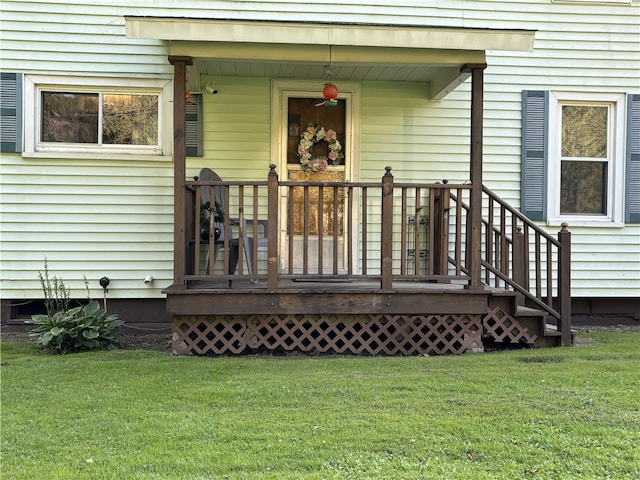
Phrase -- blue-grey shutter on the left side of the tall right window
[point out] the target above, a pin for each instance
(535, 126)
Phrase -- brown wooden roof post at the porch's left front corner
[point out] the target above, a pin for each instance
(179, 167)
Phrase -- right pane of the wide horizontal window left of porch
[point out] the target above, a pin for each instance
(130, 120)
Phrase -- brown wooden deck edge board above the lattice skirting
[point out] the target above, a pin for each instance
(357, 297)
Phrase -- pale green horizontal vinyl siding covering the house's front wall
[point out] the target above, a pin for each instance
(94, 217)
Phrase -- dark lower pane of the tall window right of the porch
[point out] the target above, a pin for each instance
(582, 187)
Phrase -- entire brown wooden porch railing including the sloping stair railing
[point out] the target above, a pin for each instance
(383, 231)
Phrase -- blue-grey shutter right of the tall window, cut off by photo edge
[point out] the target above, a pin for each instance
(632, 191)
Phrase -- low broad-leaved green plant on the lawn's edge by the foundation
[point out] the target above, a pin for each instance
(81, 328)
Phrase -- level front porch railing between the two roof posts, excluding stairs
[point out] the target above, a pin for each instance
(382, 231)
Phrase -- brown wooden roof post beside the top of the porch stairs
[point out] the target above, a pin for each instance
(475, 242)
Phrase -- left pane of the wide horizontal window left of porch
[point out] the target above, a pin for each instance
(70, 117)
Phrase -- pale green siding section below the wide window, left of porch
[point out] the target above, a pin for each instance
(86, 218)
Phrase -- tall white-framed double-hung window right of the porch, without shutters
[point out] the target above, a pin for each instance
(585, 158)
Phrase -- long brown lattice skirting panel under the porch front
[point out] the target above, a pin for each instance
(352, 334)
